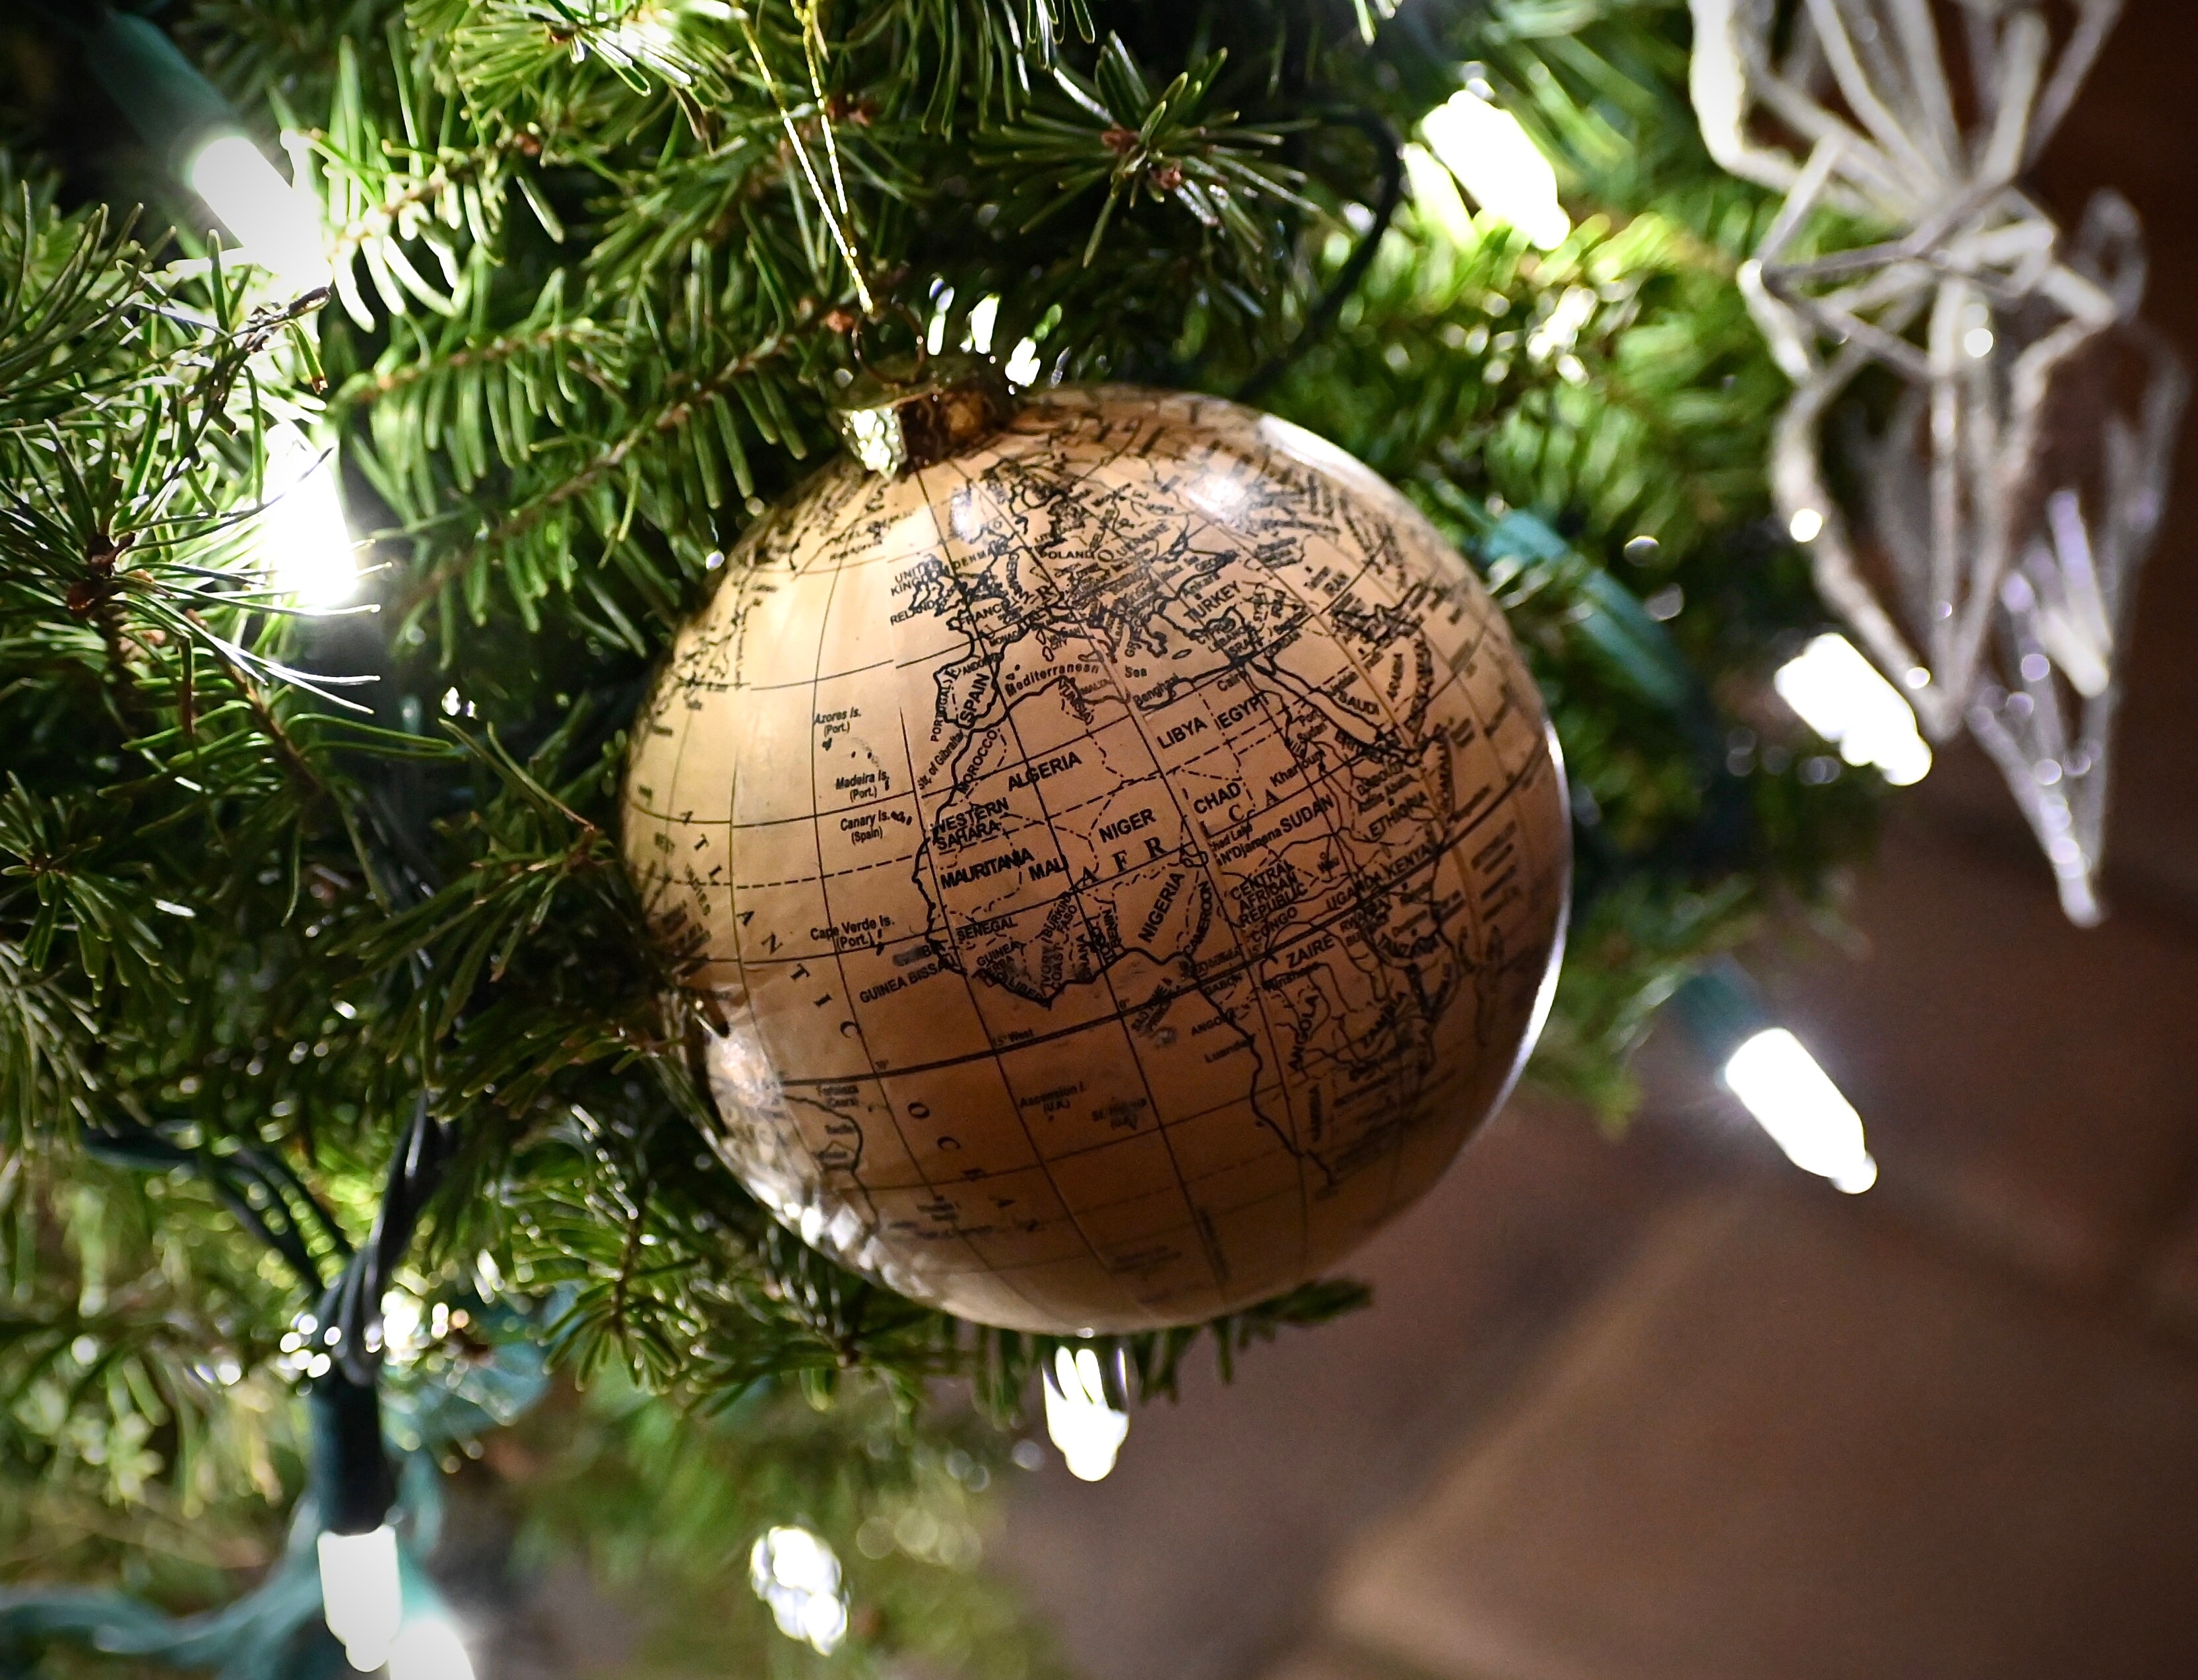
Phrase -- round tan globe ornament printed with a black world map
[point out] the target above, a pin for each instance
(1129, 861)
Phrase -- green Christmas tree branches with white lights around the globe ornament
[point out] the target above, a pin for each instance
(348, 507)
